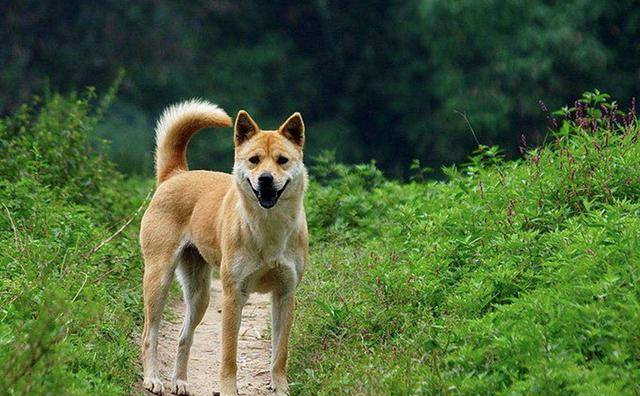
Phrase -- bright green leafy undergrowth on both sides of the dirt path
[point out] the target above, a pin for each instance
(510, 277)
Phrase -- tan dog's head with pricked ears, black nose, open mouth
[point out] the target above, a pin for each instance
(267, 163)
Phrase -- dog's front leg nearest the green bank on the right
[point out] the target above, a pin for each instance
(282, 306)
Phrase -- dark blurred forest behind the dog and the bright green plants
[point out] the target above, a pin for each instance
(386, 79)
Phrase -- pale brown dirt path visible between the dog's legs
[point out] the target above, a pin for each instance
(254, 347)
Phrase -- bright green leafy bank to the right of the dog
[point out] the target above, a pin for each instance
(512, 278)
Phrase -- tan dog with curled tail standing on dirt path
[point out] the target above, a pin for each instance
(250, 223)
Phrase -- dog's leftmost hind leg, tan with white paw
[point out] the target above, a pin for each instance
(158, 274)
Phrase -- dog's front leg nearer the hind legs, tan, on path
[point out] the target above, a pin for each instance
(232, 302)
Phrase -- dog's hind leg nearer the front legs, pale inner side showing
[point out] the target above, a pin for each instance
(194, 275)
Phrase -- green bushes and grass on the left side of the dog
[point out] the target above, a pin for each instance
(68, 305)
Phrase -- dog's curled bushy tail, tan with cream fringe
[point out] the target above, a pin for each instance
(174, 129)
